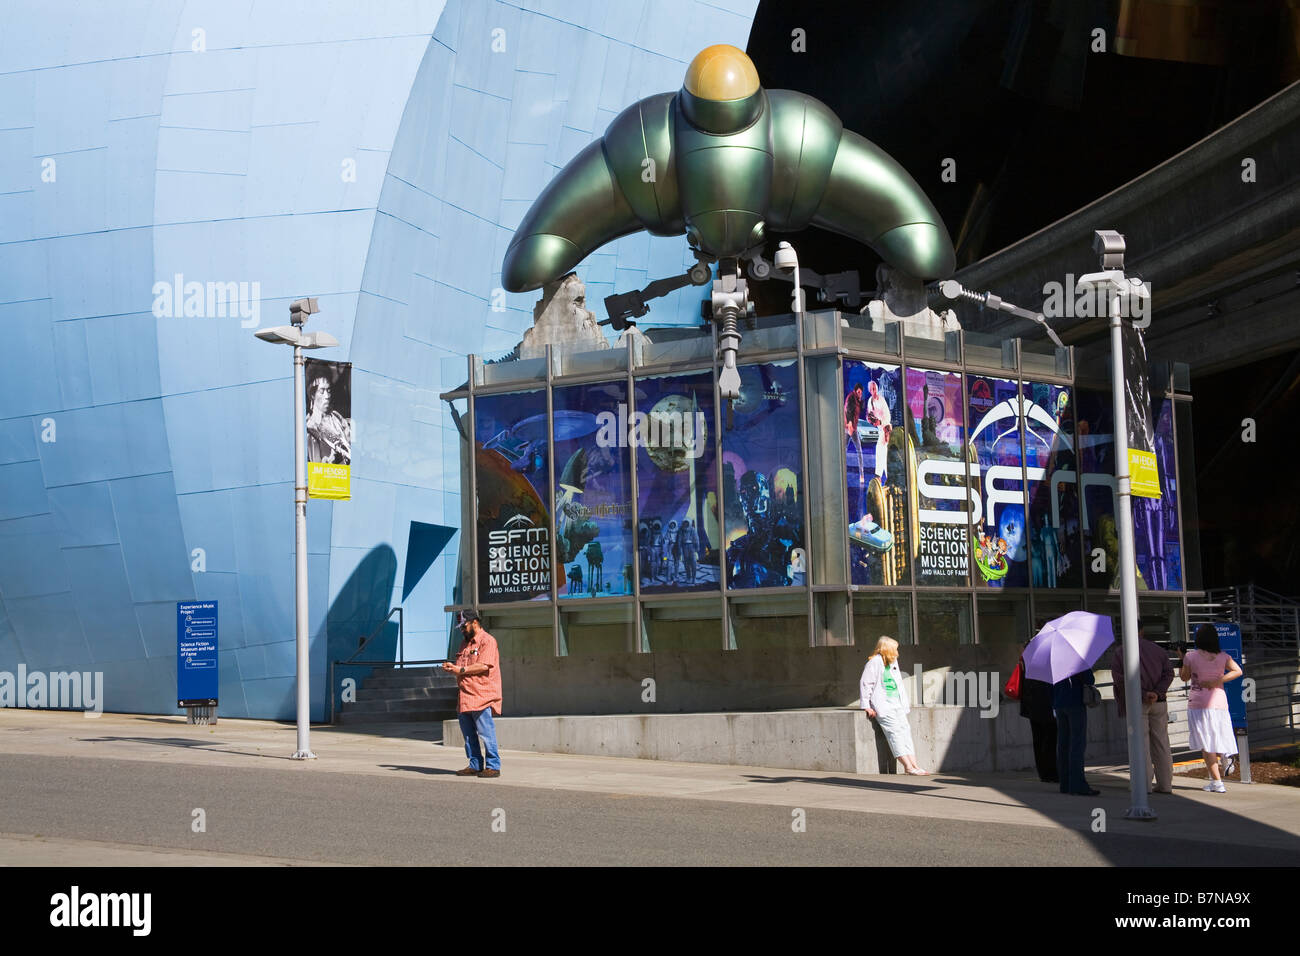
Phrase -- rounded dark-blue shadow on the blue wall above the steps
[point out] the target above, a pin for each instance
(361, 608)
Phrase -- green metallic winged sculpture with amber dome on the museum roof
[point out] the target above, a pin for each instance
(723, 162)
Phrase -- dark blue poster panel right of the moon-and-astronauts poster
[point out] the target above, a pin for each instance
(762, 481)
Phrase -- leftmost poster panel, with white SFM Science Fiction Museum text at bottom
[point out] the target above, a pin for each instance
(514, 524)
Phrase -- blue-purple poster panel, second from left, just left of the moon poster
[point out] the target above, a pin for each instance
(593, 491)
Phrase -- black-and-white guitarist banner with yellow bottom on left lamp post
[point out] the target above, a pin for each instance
(330, 430)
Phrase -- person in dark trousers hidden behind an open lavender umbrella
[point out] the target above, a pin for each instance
(1063, 655)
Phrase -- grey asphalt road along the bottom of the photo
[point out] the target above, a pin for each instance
(424, 816)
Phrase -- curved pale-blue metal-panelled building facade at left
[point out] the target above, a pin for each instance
(376, 157)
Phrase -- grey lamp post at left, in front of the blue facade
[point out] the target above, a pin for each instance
(293, 335)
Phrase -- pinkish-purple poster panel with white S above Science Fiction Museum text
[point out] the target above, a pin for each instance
(941, 500)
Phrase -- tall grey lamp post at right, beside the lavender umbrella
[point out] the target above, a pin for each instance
(1116, 287)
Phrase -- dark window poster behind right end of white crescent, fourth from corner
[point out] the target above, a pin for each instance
(1054, 492)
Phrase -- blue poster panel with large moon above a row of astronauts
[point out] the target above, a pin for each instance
(678, 530)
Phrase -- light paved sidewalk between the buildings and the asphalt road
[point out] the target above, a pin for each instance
(1259, 816)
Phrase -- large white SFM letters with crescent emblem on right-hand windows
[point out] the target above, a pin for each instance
(1003, 483)
